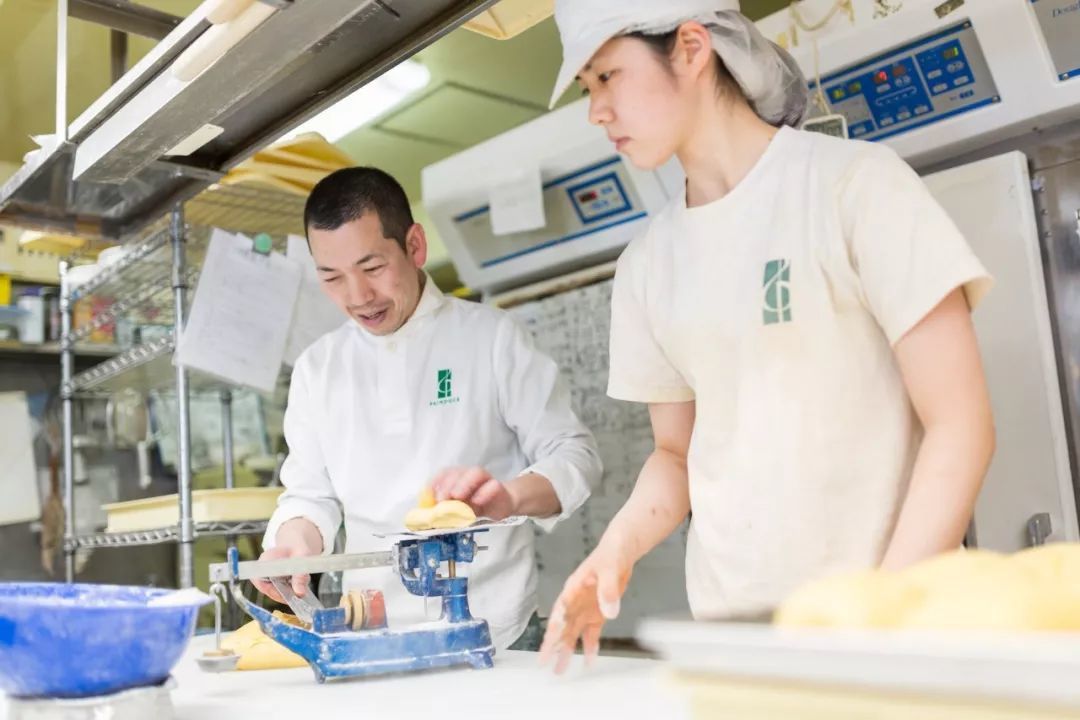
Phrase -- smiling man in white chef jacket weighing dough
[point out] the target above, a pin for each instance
(417, 389)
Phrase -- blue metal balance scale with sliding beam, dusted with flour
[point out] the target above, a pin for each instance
(354, 641)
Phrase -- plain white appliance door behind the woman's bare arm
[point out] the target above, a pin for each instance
(992, 203)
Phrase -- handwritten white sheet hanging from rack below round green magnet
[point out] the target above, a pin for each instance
(241, 314)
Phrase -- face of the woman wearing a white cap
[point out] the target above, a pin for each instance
(644, 106)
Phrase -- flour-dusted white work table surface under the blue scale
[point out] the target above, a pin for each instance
(517, 687)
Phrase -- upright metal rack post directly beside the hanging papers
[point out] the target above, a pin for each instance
(184, 452)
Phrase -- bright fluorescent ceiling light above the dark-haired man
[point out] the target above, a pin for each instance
(368, 103)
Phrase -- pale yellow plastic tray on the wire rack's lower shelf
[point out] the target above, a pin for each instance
(217, 506)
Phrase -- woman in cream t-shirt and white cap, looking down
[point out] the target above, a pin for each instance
(799, 323)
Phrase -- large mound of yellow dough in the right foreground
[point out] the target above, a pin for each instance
(1034, 590)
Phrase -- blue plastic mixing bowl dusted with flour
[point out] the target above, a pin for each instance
(60, 641)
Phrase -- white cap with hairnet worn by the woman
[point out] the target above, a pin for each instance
(768, 76)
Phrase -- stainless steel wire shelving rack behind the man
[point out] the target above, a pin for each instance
(153, 280)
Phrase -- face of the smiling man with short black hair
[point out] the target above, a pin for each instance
(368, 276)
